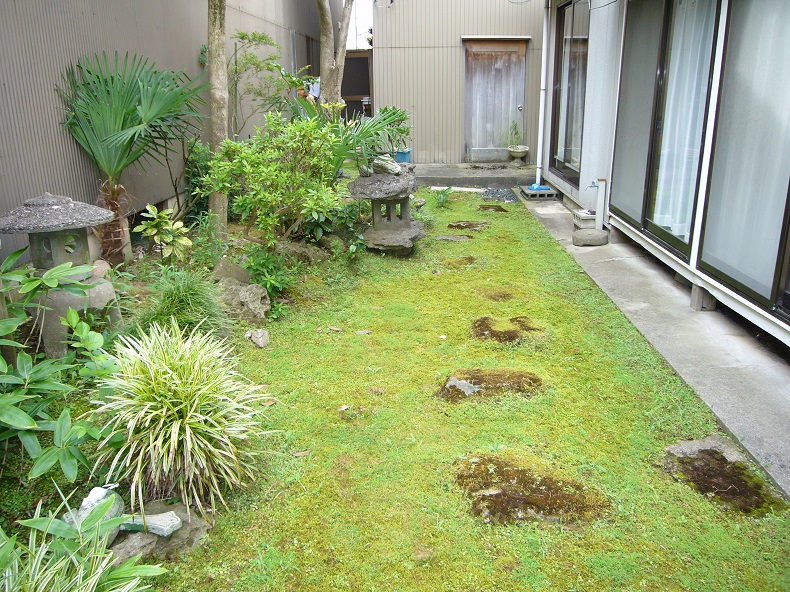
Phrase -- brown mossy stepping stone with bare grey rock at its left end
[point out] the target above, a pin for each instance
(483, 383)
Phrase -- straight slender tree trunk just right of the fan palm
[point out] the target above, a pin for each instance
(218, 101)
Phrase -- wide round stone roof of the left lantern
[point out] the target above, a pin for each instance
(52, 213)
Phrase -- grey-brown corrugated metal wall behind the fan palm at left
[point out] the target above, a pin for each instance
(39, 38)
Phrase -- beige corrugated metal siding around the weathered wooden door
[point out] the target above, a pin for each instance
(418, 65)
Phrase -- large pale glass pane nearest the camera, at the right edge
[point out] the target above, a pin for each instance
(748, 187)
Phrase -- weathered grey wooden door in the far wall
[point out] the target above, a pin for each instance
(494, 96)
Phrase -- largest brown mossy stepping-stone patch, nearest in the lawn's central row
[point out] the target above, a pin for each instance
(503, 492)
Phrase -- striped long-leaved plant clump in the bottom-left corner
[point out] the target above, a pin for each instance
(65, 558)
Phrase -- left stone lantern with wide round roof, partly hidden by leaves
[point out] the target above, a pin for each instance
(57, 227)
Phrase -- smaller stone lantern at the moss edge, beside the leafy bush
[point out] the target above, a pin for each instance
(393, 229)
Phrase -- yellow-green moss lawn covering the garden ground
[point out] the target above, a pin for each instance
(375, 504)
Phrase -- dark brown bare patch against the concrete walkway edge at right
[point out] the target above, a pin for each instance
(728, 483)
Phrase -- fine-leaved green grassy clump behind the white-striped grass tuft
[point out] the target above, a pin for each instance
(189, 296)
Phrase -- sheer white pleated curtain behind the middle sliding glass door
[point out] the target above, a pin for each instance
(689, 48)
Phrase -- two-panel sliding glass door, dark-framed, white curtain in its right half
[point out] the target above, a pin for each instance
(661, 120)
